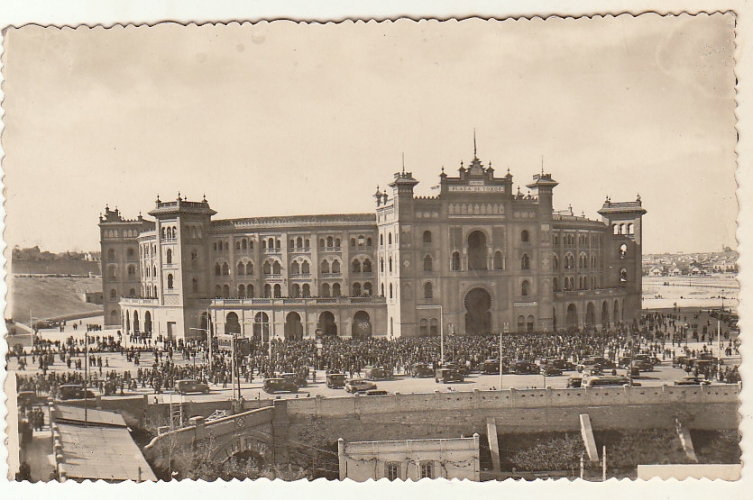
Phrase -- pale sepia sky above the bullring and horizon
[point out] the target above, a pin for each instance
(287, 118)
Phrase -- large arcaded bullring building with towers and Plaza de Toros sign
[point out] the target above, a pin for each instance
(479, 257)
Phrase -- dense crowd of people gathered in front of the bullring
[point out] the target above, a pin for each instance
(663, 335)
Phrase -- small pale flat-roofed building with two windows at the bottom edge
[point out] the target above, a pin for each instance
(410, 459)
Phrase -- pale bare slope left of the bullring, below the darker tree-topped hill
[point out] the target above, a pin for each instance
(49, 297)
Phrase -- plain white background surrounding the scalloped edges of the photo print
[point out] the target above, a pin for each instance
(77, 12)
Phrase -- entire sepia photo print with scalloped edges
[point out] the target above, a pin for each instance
(479, 249)
